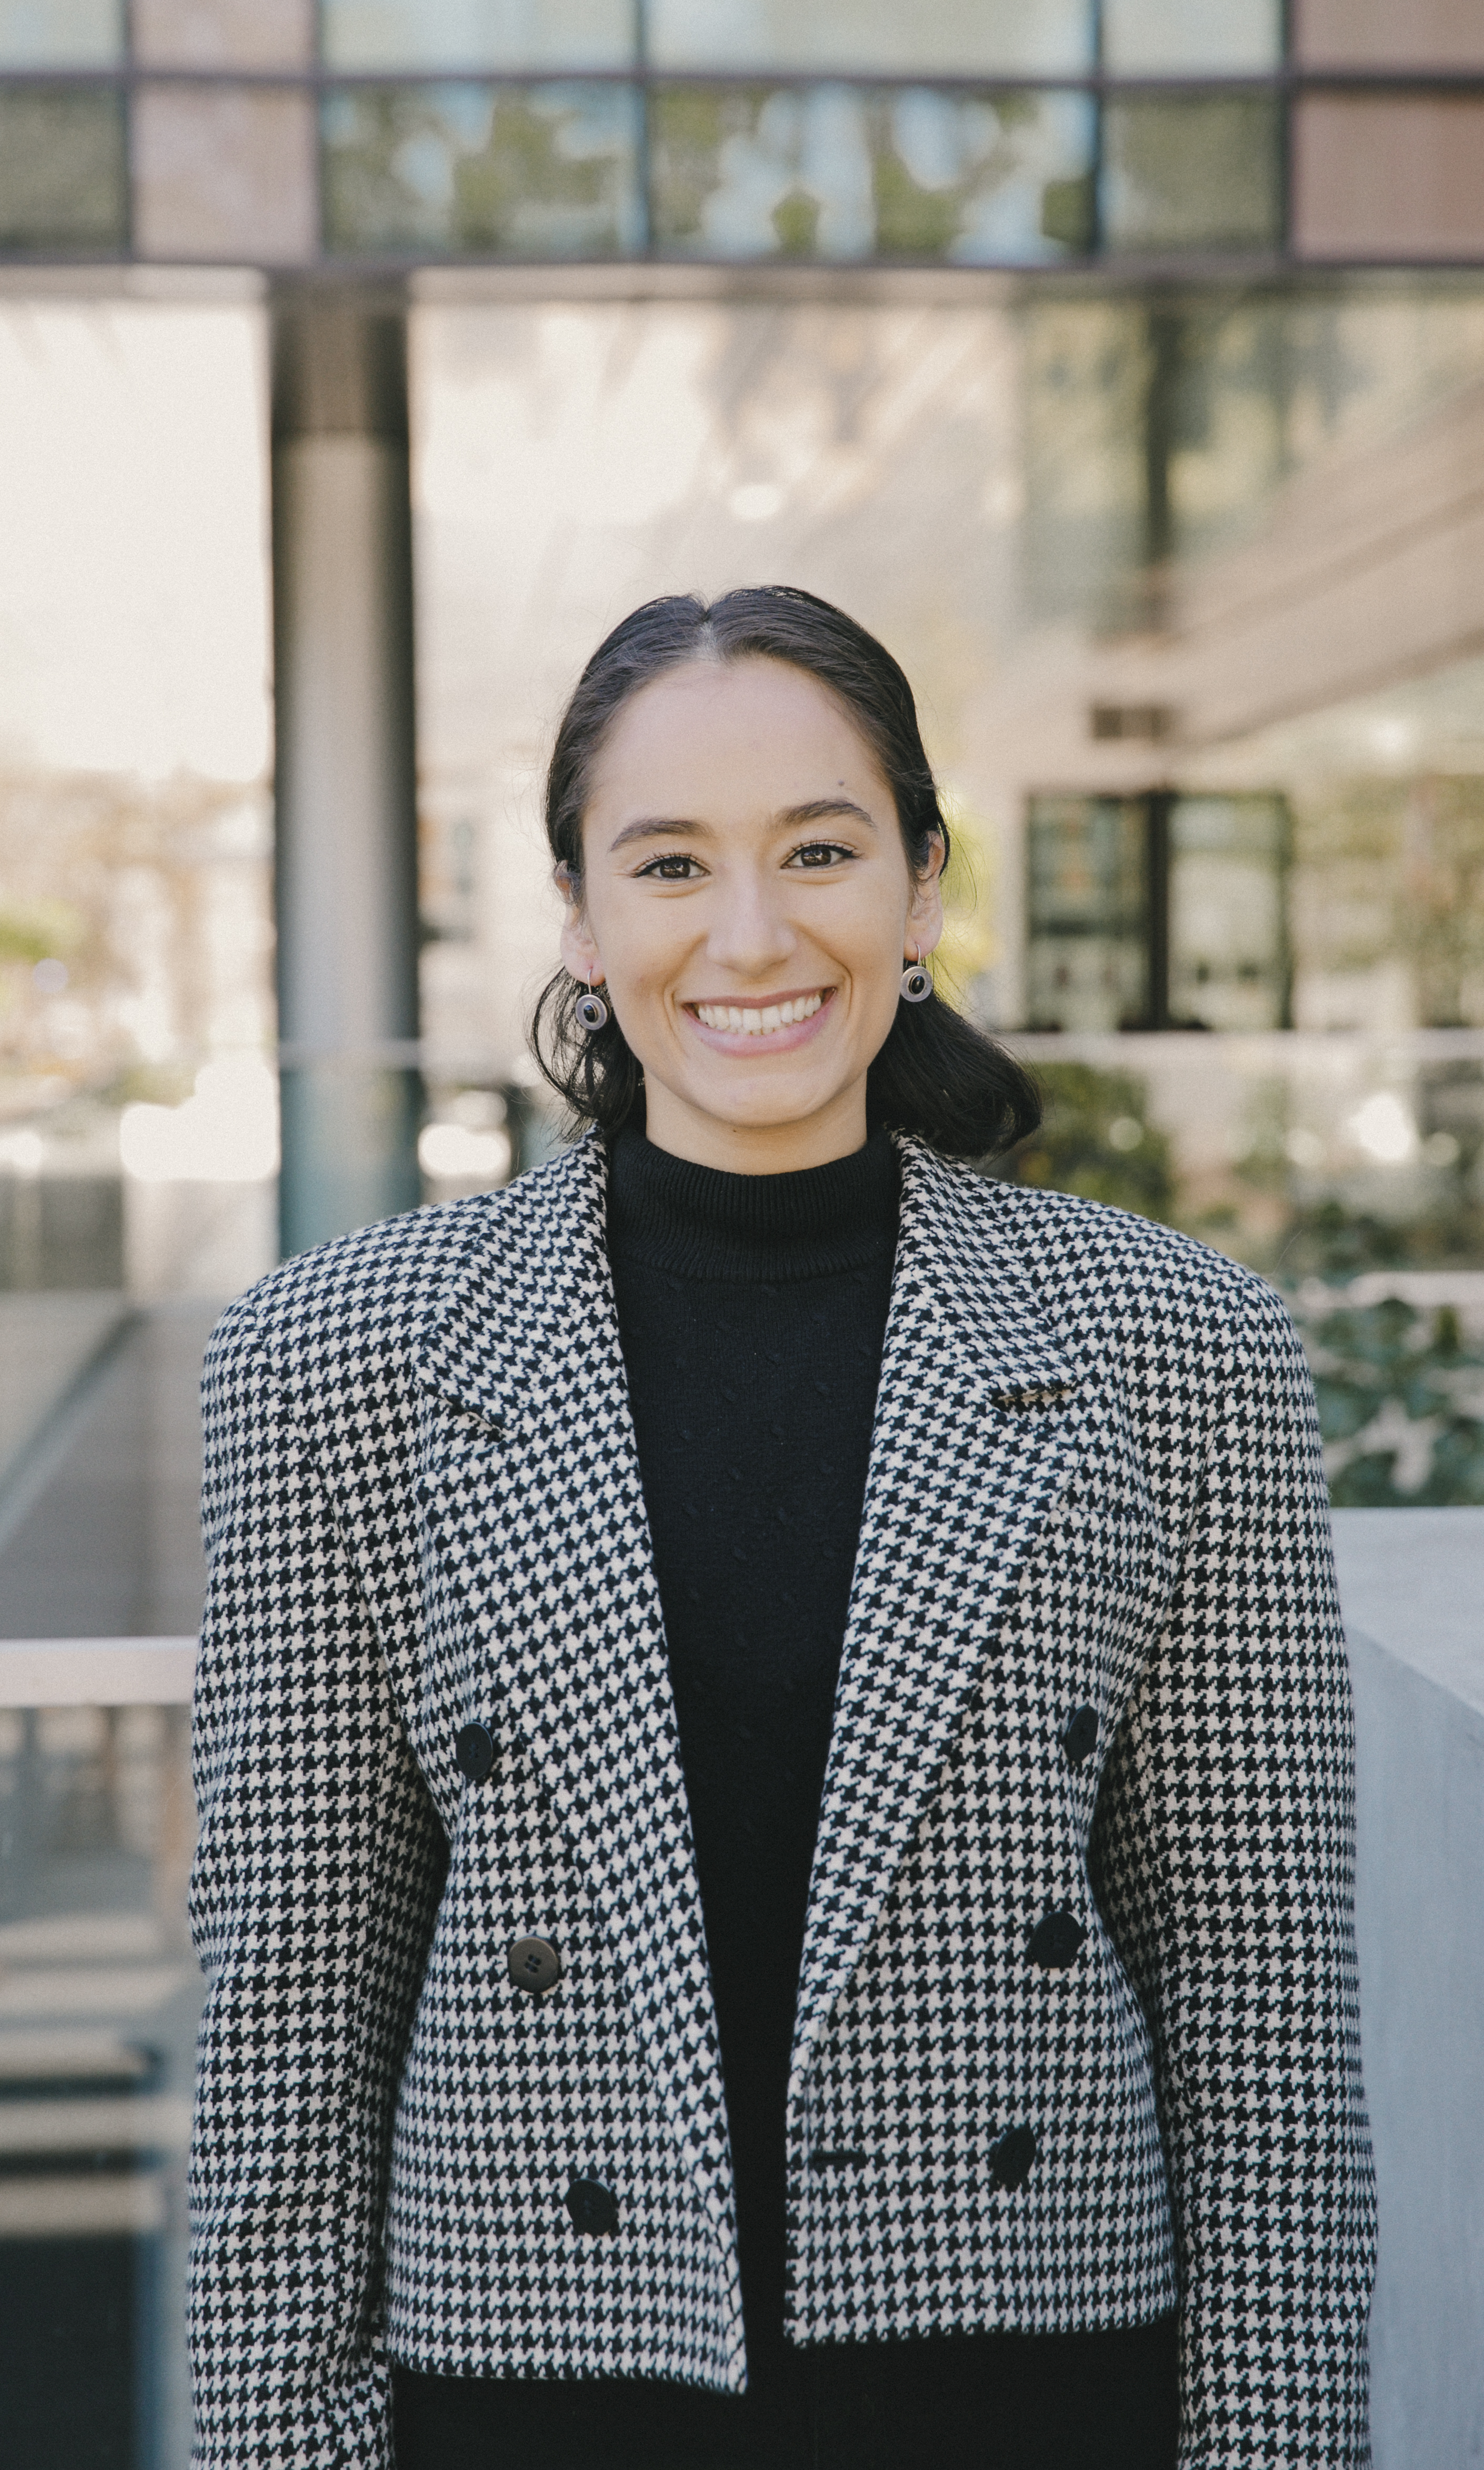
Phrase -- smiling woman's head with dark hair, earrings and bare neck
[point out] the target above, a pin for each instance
(744, 824)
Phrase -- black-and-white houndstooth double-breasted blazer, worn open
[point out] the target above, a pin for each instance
(1078, 2009)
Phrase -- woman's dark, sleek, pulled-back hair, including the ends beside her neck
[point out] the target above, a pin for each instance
(937, 1076)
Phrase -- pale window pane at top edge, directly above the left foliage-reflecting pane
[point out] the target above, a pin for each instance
(478, 33)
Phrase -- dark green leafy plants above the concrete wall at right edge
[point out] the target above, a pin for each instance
(1401, 1407)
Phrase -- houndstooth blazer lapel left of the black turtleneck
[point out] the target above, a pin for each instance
(542, 1528)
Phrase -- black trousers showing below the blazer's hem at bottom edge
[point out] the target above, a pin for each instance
(991, 2402)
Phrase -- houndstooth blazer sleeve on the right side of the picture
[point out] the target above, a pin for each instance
(1223, 1861)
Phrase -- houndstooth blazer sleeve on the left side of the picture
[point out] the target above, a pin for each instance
(312, 1906)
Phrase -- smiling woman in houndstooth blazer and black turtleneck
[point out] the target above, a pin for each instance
(772, 1728)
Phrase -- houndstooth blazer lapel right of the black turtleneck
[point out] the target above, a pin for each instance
(974, 1444)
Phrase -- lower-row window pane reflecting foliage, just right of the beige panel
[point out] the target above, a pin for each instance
(527, 172)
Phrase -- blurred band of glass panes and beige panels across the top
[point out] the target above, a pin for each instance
(1056, 132)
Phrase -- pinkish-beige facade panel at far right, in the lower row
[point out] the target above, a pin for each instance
(1389, 177)
